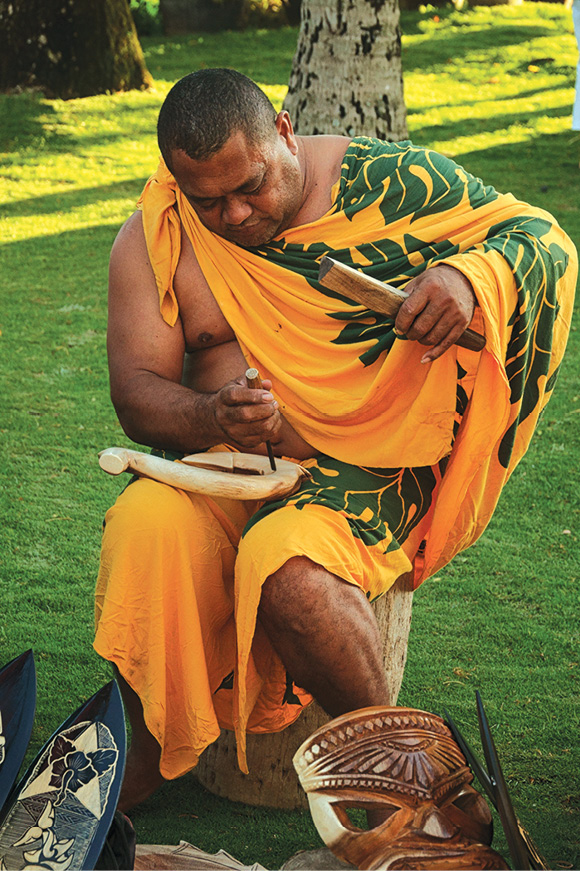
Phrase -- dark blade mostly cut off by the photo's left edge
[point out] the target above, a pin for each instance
(17, 706)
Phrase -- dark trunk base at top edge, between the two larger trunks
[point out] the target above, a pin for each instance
(185, 16)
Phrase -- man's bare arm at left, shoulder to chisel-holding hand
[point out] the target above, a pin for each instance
(146, 361)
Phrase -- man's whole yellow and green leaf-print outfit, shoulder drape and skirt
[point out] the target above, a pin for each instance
(361, 397)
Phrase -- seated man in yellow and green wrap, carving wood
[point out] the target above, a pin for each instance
(230, 614)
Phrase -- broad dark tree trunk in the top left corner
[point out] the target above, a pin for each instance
(70, 48)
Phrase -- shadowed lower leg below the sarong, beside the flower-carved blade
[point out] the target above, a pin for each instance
(142, 776)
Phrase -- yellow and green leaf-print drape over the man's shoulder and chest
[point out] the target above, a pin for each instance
(343, 379)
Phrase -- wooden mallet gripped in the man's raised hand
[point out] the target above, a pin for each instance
(377, 296)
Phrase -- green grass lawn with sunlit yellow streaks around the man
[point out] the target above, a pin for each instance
(491, 87)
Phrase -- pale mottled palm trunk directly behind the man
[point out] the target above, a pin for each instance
(346, 75)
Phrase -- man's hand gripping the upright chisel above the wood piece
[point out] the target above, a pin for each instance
(247, 416)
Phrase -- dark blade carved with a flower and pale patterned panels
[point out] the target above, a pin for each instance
(62, 809)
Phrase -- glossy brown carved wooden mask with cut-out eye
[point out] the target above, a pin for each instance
(404, 767)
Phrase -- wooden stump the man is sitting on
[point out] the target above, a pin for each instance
(272, 781)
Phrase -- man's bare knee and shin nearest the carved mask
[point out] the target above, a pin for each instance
(325, 632)
